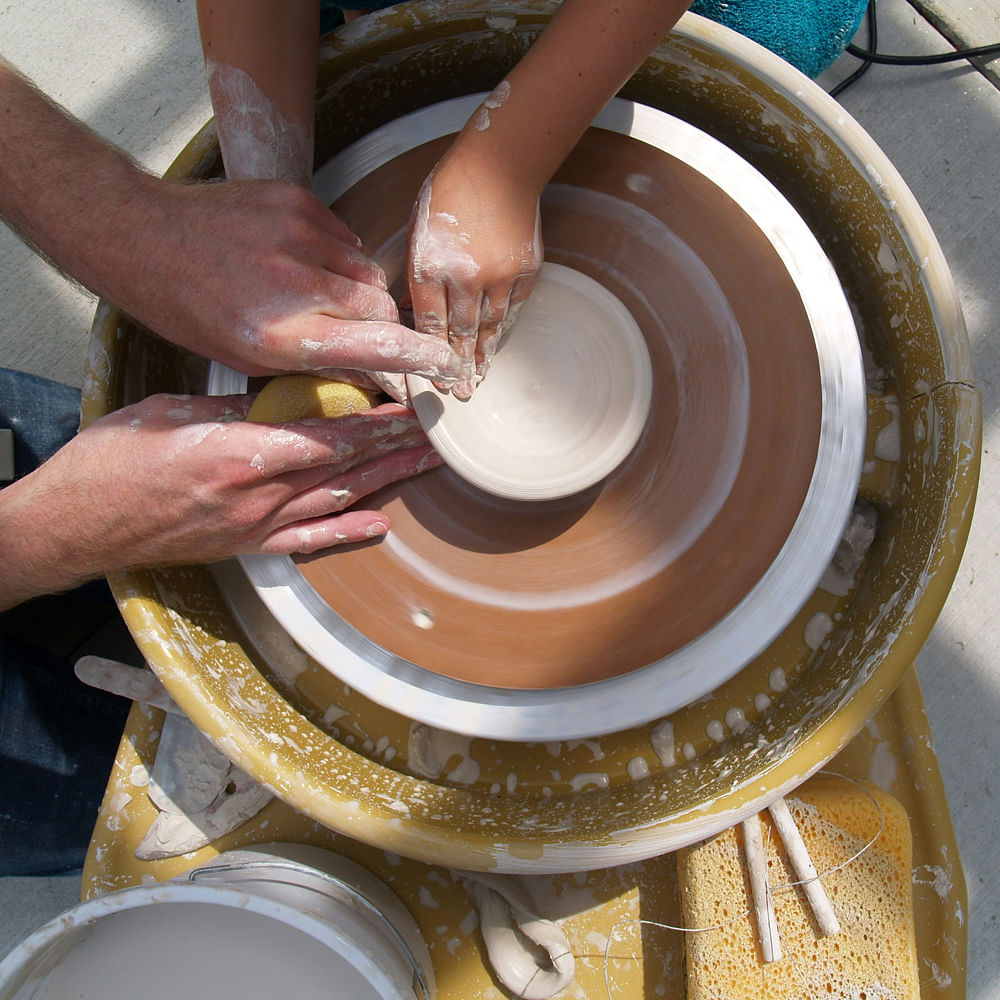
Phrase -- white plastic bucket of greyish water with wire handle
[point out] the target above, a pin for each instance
(260, 924)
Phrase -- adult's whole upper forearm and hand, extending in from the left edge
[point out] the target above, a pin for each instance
(257, 274)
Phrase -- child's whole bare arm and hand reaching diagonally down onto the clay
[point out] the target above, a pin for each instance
(475, 247)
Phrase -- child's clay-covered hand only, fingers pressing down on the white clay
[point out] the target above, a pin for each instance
(475, 252)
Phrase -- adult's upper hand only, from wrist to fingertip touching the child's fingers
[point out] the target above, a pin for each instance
(262, 276)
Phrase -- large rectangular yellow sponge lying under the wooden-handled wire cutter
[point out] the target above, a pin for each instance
(873, 955)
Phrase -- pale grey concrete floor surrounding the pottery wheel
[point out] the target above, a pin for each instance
(131, 69)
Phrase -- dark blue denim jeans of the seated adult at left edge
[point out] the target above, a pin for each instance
(58, 737)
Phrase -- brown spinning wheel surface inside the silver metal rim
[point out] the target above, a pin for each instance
(567, 592)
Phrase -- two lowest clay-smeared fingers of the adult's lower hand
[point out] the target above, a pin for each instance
(320, 517)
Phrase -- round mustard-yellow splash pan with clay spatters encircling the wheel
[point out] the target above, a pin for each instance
(349, 765)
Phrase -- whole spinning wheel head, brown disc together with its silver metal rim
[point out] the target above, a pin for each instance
(624, 601)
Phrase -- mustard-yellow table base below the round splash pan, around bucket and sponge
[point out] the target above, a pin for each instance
(620, 921)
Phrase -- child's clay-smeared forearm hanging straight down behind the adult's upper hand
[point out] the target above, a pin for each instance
(260, 57)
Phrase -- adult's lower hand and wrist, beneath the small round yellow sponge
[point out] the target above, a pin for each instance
(174, 480)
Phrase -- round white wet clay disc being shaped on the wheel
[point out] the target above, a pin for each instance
(563, 404)
